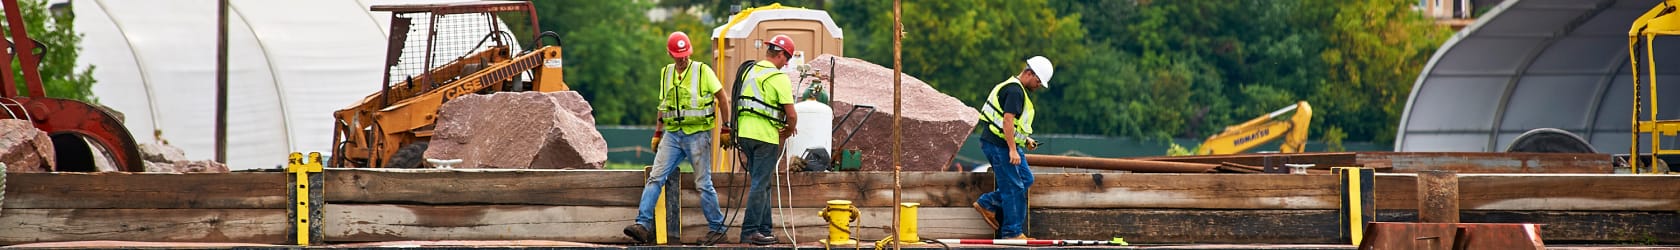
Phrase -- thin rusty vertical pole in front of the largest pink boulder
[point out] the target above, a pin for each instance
(898, 113)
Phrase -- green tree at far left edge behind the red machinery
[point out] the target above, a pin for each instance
(56, 33)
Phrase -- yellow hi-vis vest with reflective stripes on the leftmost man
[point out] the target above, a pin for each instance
(683, 103)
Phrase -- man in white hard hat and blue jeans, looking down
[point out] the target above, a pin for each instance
(1009, 120)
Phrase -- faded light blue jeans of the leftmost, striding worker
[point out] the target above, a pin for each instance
(676, 147)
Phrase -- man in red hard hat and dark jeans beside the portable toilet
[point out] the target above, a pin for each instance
(767, 118)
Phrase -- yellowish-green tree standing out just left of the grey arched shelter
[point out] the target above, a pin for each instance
(1378, 49)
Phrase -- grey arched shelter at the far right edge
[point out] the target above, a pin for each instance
(1533, 65)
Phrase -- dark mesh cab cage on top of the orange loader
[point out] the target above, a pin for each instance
(438, 34)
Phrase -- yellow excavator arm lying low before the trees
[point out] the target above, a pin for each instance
(1264, 130)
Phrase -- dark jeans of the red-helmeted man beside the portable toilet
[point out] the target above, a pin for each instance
(762, 167)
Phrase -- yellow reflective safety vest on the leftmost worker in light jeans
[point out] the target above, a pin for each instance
(671, 108)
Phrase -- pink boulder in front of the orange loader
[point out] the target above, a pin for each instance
(518, 130)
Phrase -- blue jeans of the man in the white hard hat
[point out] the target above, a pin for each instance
(1009, 202)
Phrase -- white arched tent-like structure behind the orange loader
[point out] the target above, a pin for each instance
(291, 65)
